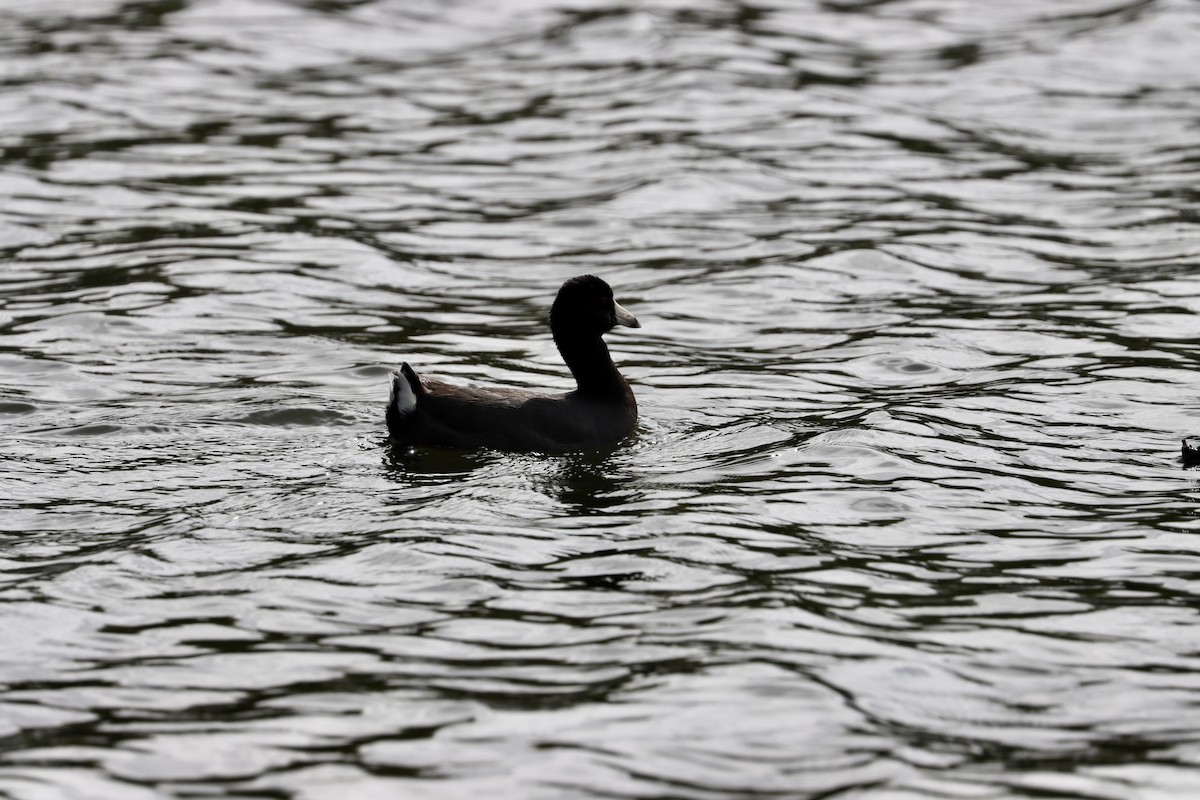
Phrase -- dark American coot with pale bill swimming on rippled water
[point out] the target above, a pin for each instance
(601, 412)
